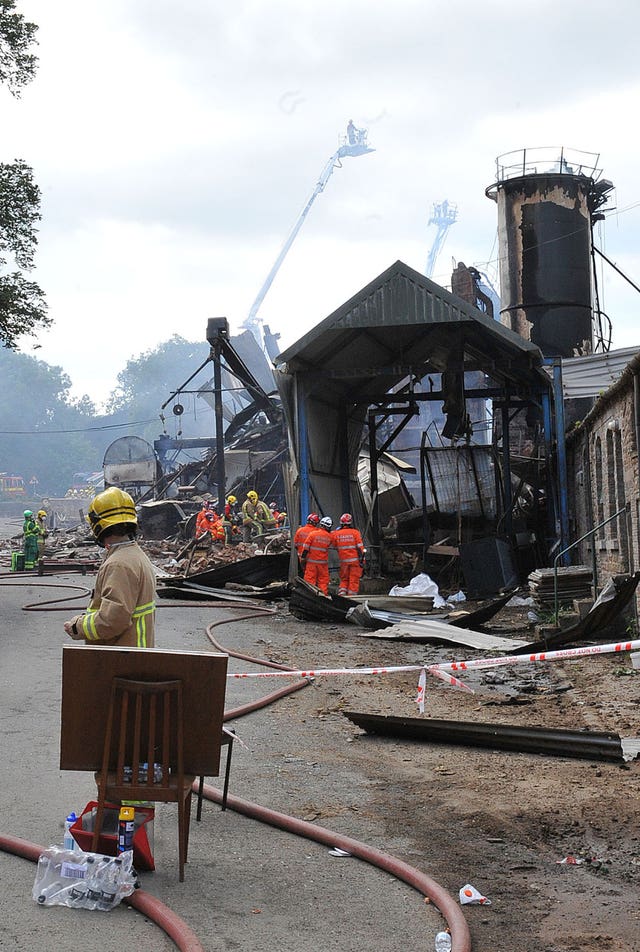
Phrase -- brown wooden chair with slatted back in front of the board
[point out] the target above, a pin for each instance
(143, 752)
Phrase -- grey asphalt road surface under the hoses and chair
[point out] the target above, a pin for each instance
(247, 886)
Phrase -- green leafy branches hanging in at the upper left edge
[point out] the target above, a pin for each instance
(22, 306)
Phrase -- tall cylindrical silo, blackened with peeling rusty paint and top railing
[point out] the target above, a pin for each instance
(547, 202)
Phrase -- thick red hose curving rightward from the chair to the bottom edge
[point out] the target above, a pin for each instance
(460, 936)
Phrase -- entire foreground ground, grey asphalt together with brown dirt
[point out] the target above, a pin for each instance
(498, 820)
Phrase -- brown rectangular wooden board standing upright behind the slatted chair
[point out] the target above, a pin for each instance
(87, 673)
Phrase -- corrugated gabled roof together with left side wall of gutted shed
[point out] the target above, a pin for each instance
(401, 324)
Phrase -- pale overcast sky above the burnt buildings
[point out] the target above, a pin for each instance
(176, 143)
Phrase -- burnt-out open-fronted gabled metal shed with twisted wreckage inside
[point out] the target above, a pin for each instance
(367, 368)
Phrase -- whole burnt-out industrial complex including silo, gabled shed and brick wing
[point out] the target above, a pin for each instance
(445, 424)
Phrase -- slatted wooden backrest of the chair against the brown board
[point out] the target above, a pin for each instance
(144, 735)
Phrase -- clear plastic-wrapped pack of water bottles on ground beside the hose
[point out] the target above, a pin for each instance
(83, 880)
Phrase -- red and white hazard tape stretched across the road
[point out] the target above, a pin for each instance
(444, 671)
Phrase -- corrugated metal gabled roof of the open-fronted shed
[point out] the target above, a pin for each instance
(403, 323)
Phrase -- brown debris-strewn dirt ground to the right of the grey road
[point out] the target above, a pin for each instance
(499, 820)
